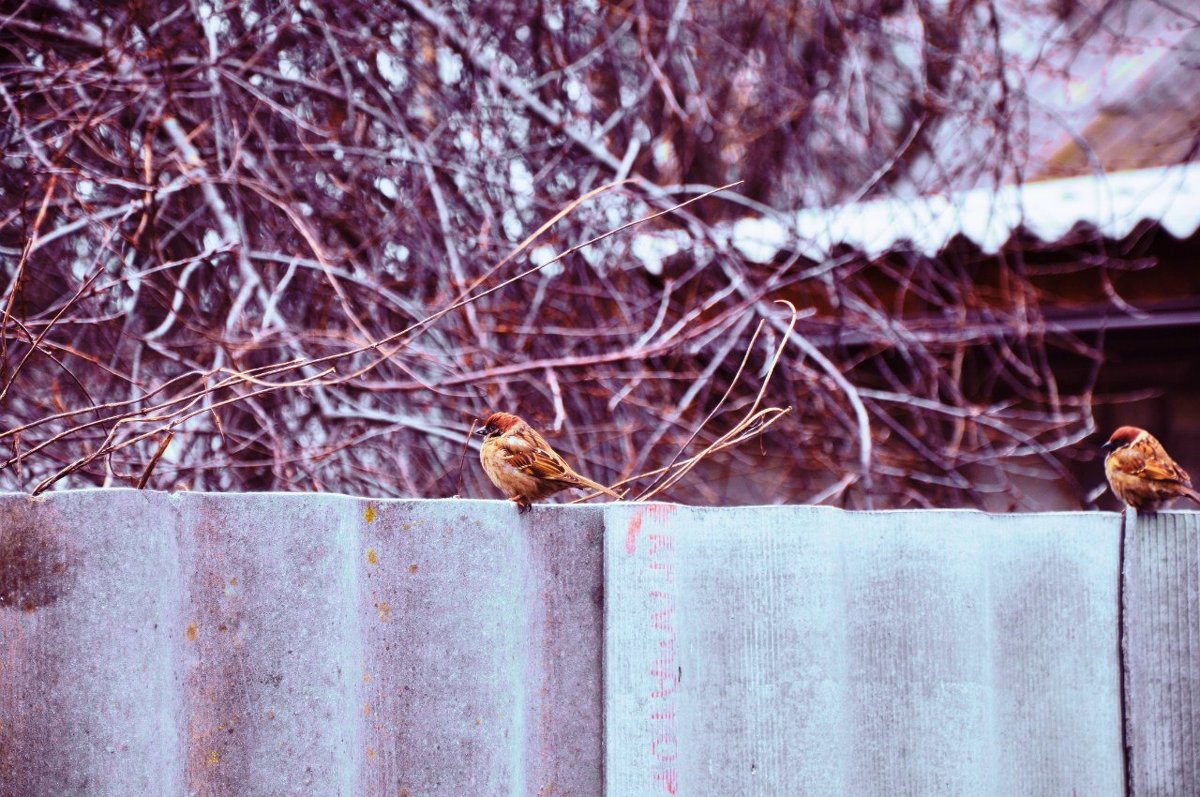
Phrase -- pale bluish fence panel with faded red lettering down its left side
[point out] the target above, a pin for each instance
(808, 651)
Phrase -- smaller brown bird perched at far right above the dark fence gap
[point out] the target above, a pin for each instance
(1142, 474)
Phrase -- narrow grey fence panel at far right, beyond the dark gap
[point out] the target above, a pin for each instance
(1163, 652)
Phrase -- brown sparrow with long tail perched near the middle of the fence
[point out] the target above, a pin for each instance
(523, 465)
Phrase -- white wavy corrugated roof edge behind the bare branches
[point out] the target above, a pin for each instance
(1112, 203)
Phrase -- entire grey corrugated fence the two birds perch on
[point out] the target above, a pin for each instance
(269, 645)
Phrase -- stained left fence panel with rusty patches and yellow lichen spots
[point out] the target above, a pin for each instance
(297, 645)
